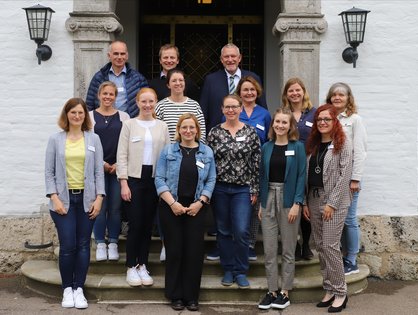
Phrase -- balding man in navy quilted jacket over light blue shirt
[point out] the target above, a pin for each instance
(128, 80)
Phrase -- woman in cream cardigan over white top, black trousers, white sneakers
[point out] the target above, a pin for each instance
(140, 143)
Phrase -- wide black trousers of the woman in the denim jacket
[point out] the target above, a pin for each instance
(184, 245)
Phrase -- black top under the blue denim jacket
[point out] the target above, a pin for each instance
(188, 175)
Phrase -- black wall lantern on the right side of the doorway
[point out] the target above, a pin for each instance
(354, 23)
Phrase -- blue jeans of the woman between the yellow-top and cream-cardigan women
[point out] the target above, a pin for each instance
(109, 216)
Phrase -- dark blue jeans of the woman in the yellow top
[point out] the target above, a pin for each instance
(74, 233)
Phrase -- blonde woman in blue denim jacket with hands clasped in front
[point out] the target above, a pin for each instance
(185, 178)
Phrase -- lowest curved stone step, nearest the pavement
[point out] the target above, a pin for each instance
(42, 276)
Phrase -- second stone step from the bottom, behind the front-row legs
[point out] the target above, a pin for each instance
(156, 267)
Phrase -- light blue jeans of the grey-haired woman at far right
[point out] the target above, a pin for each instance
(351, 232)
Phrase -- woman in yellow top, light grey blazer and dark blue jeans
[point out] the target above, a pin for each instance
(74, 182)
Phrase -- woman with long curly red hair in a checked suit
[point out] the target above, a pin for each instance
(329, 171)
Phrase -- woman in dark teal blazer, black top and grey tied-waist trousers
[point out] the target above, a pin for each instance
(282, 187)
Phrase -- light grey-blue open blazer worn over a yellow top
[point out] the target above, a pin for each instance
(55, 171)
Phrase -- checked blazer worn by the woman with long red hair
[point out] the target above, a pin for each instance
(337, 175)
